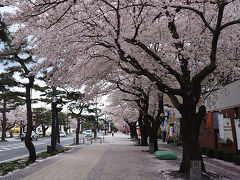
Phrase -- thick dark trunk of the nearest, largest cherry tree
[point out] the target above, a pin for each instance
(190, 125)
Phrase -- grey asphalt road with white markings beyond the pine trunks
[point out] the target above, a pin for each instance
(14, 148)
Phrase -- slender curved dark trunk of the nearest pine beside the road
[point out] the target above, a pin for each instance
(28, 142)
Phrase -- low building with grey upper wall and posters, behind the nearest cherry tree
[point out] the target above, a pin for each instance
(221, 129)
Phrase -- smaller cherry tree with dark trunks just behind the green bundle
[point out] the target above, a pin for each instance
(149, 103)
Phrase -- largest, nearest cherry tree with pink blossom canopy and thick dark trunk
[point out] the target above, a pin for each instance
(178, 45)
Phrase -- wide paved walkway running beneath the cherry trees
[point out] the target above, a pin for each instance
(116, 158)
